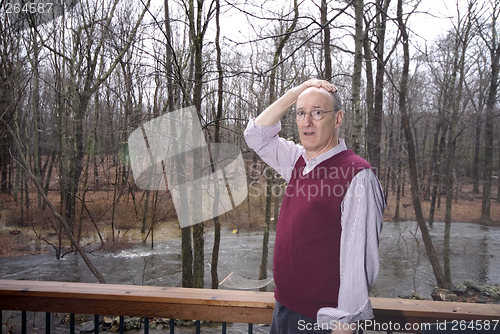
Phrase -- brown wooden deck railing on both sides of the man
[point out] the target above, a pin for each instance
(211, 305)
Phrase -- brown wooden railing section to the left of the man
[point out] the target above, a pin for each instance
(135, 300)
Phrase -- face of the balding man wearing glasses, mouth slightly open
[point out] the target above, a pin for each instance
(320, 136)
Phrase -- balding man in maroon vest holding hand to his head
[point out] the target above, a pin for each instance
(326, 250)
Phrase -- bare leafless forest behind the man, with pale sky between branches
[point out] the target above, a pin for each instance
(77, 78)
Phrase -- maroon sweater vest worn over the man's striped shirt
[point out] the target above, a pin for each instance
(307, 249)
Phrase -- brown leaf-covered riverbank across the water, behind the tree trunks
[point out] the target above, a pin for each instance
(36, 232)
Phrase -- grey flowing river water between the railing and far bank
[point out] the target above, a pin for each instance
(404, 267)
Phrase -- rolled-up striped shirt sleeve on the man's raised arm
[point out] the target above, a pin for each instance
(277, 152)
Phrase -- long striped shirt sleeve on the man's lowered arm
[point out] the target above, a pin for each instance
(361, 220)
